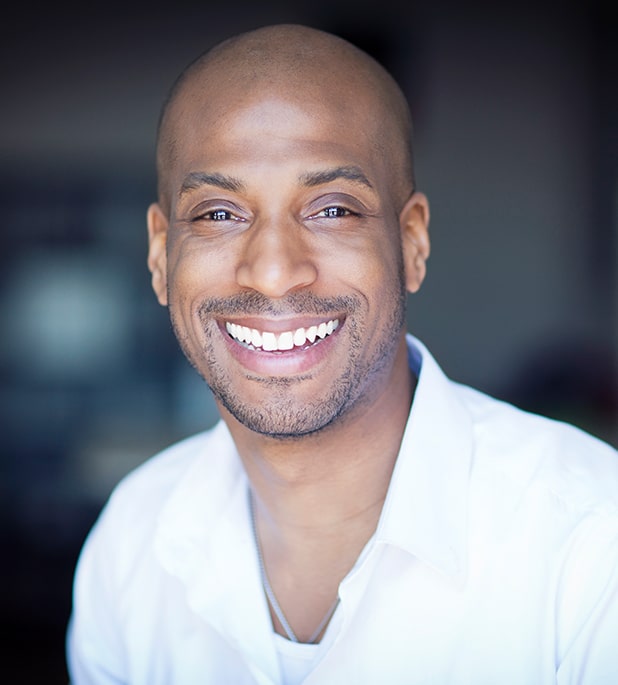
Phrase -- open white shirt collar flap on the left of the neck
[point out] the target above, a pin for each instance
(204, 539)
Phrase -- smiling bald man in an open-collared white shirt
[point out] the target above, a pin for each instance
(356, 517)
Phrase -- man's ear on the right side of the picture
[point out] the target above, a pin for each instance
(414, 222)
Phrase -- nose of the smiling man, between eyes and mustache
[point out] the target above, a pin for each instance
(276, 258)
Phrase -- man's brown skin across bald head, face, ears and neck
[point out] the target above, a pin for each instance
(286, 201)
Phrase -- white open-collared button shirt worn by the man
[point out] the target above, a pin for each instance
(495, 561)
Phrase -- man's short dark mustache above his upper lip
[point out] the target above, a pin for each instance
(256, 304)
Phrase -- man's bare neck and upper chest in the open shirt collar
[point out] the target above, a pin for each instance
(317, 499)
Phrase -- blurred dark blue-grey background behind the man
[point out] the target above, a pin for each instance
(516, 115)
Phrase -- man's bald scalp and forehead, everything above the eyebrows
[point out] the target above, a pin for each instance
(294, 97)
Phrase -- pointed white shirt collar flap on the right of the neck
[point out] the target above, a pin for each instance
(425, 511)
